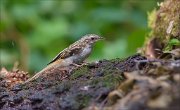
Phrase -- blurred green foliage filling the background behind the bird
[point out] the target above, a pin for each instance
(34, 31)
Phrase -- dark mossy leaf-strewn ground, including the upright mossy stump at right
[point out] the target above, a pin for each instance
(149, 80)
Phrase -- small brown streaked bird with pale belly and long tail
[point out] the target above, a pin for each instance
(75, 54)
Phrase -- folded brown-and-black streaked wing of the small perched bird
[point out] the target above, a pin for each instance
(72, 50)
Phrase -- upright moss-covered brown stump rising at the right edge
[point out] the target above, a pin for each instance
(164, 24)
